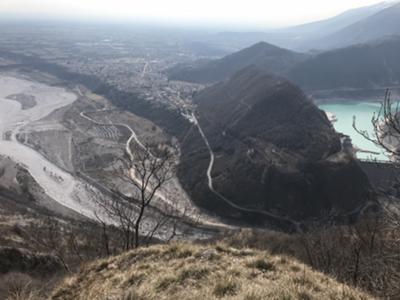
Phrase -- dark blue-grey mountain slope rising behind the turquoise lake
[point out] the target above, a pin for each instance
(361, 66)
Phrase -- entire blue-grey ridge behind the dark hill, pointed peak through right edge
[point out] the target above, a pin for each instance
(363, 66)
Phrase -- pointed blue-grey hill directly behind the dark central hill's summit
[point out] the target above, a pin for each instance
(265, 56)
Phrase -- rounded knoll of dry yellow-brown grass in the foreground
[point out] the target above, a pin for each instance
(188, 271)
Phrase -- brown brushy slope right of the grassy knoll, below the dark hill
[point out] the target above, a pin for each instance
(362, 254)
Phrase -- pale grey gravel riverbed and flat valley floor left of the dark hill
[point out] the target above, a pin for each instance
(71, 142)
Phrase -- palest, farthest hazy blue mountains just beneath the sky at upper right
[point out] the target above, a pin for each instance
(353, 26)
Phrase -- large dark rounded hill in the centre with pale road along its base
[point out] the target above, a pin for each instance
(273, 151)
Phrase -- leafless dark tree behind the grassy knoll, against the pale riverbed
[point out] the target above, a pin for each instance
(137, 214)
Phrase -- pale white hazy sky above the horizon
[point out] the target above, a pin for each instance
(251, 12)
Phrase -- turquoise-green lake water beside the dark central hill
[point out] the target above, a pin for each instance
(363, 111)
